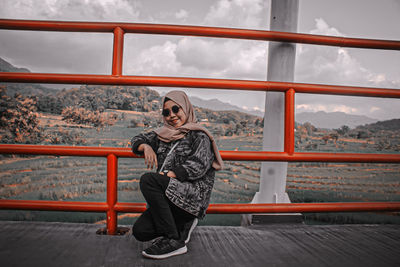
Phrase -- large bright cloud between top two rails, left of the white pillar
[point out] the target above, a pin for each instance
(200, 57)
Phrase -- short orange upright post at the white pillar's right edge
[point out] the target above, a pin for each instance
(289, 121)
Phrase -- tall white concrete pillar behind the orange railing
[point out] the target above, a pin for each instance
(281, 62)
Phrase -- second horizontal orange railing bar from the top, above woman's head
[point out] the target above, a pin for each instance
(197, 83)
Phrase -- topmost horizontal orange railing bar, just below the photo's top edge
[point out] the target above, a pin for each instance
(143, 28)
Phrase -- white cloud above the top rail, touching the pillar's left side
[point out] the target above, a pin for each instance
(238, 13)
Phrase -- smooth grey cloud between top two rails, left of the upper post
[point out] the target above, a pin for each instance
(57, 52)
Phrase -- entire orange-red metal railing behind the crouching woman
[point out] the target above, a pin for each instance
(112, 206)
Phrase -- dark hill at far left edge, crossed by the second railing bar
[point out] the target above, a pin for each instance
(22, 88)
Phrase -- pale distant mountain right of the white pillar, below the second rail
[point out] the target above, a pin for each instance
(333, 120)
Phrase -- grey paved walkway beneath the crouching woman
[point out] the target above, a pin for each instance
(67, 244)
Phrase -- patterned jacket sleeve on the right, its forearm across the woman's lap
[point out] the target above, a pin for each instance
(198, 162)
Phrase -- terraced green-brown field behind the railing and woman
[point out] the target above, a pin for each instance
(84, 179)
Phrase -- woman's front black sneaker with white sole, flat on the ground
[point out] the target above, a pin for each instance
(165, 248)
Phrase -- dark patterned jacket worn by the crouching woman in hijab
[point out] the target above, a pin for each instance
(191, 161)
